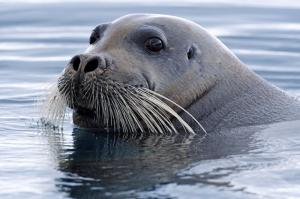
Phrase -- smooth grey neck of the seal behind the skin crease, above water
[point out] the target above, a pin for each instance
(242, 100)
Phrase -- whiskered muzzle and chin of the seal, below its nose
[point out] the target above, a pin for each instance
(115, 107)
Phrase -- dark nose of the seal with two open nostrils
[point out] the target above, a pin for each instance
(87, 64)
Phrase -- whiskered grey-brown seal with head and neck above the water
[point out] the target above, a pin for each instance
(143, 70)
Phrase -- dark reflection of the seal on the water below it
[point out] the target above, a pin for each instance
(107, 164)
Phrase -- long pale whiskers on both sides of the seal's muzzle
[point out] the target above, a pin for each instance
(119, 107)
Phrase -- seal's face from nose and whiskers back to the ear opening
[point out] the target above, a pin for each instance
(129, 60)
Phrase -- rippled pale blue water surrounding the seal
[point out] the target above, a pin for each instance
(36, 41)
